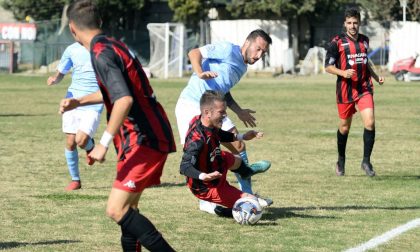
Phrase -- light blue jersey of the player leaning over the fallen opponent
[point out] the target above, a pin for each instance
(223, 58)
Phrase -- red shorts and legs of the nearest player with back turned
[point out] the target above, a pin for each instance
(141, 168)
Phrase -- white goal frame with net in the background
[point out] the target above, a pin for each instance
(166, 49)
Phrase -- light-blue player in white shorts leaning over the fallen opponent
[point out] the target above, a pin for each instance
(219, 67)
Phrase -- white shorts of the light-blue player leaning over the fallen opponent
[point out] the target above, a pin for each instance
(186, 110)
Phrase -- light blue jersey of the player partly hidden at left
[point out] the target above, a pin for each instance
(83, 79)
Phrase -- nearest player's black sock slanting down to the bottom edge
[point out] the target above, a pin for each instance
(140, 227)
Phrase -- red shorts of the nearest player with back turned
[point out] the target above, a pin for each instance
(141, 168)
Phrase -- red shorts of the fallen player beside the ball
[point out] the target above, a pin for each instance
(224, 194)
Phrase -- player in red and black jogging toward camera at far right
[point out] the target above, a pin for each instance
(347, 58)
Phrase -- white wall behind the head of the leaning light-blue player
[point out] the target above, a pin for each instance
(236, 31)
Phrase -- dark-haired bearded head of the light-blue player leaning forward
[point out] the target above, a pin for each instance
(256, 45)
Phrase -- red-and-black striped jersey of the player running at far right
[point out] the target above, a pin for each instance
(345, 53)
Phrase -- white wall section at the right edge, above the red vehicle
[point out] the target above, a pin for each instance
(404, 41)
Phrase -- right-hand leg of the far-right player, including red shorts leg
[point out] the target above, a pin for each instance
(366, 107)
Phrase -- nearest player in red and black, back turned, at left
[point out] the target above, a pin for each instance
(137, 124)
